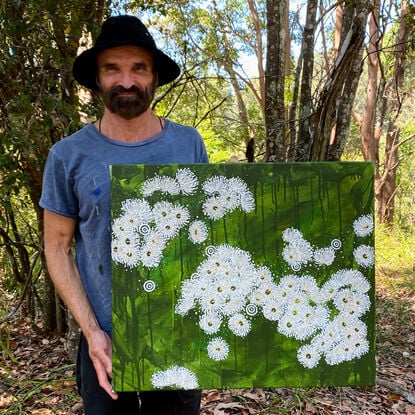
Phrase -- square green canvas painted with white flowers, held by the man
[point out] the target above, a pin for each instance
(243, 275)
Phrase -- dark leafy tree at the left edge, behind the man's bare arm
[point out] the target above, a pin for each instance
(38, 106)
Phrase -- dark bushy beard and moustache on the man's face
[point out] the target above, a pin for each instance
(131, 106)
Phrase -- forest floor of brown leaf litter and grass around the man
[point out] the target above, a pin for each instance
(37, 378)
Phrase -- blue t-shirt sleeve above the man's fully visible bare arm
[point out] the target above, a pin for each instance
(58, 194)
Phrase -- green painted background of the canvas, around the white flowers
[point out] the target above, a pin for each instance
(322, 200)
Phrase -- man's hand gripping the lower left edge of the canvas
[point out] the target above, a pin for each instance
(100, 352)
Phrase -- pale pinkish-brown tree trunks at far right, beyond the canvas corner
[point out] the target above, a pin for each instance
(384, 100)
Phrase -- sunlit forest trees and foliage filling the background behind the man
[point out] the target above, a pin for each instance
(271, 80)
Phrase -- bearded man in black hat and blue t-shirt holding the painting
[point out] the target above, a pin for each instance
(126, 67)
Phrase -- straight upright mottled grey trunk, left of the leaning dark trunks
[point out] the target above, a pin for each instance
(275, 80)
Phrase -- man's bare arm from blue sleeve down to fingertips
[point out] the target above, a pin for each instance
(58, 233)
